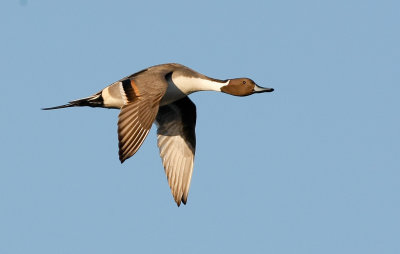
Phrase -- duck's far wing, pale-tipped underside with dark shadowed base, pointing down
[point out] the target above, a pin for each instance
(177, 142)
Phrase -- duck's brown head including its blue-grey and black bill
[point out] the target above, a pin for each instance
(243, 87)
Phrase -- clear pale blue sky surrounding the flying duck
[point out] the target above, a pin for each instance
(312, 168)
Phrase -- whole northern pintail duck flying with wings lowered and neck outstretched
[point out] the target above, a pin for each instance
(159, 94)
